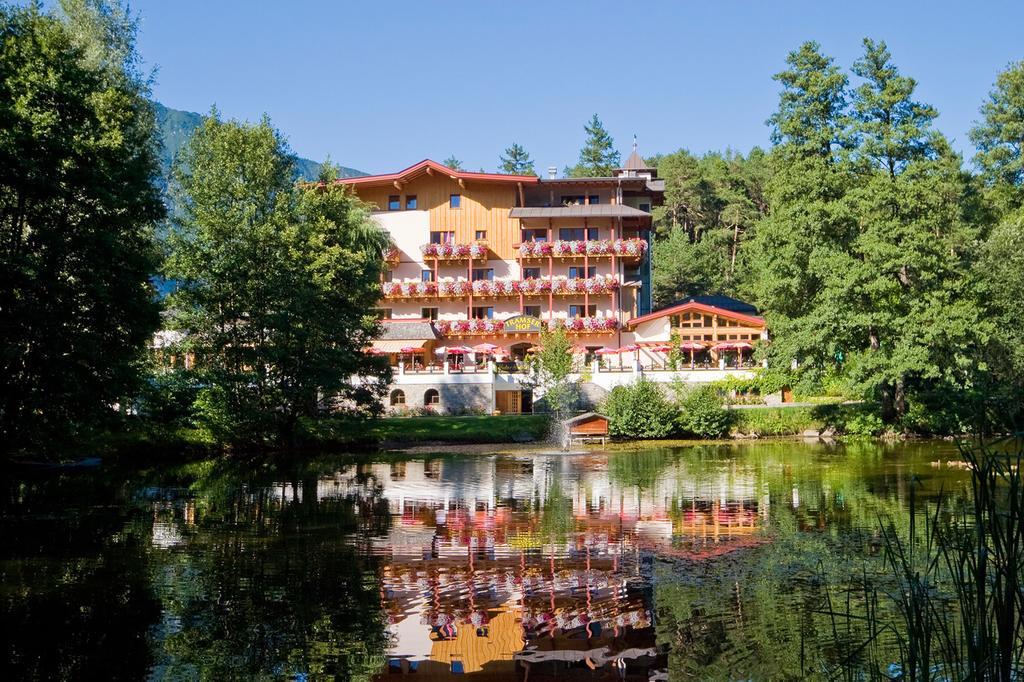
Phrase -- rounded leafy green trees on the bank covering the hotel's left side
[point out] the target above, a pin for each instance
(275, 284)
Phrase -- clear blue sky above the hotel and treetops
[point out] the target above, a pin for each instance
(379, 87)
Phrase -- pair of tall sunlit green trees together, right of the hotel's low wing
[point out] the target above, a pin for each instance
(865, 266)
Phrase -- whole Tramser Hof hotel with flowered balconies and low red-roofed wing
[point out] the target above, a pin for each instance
(485, 263)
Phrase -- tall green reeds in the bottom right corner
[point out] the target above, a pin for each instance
(950, 605)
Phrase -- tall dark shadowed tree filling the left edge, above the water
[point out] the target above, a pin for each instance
(78, 205)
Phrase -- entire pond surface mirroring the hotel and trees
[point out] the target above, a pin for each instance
(709, 563)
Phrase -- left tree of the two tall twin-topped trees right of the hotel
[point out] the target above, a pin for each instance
(806, 237)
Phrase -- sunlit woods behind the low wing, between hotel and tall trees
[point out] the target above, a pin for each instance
(712, 205)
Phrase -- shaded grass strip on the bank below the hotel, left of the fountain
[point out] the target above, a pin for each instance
(503, 429)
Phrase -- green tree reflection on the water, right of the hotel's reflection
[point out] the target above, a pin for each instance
(762, 615)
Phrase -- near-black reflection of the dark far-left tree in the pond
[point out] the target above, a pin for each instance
(77, 604)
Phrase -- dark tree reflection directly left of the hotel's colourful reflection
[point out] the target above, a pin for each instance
(271, 584)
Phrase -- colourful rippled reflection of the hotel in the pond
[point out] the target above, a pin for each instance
(495, 566)
